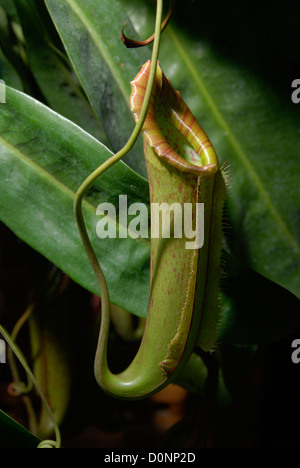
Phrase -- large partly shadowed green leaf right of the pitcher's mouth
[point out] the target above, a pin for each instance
(251, 126)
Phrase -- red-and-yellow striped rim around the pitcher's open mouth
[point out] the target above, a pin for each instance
(168, 108)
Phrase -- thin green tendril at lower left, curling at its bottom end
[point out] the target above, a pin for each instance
(18, 353)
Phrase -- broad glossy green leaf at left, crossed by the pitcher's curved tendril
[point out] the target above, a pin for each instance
(44, 158)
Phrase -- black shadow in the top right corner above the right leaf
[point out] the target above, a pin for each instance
(261, 38)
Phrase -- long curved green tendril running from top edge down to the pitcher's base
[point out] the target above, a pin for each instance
(105, 301)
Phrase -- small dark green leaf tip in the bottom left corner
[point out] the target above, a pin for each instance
(13, 435)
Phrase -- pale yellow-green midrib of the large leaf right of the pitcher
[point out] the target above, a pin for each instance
(233, 140)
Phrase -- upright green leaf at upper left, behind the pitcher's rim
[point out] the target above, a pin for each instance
(90, 31)
